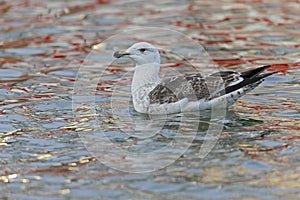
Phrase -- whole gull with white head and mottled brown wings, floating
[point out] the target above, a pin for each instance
(154, 95)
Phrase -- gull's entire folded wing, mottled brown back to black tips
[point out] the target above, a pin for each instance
(196, 87)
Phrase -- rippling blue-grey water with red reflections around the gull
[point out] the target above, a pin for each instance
(43, 156)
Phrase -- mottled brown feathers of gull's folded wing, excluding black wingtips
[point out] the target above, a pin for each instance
(193, 87)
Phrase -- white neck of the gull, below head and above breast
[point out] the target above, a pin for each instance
(145, 75)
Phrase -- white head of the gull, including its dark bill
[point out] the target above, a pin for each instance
(141, 53)
